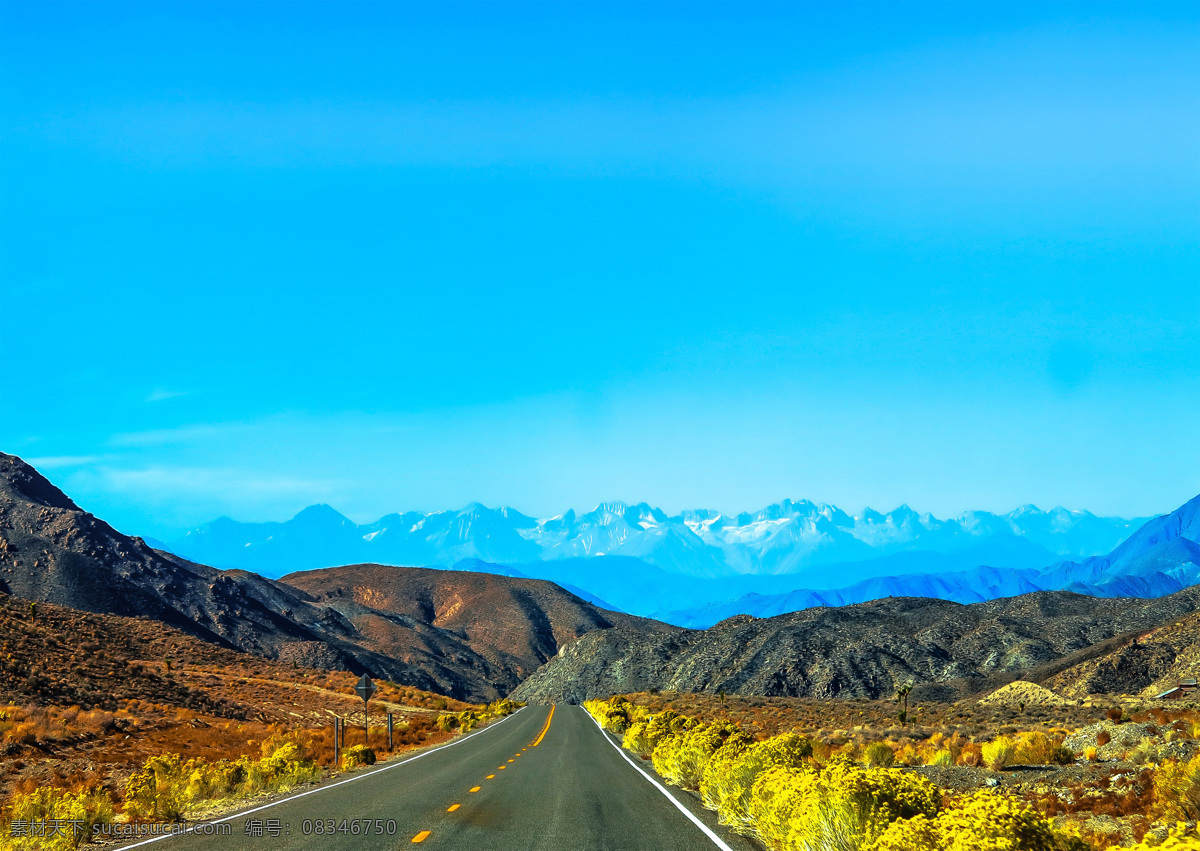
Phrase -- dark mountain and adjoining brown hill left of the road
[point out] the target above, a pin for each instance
(403, 630)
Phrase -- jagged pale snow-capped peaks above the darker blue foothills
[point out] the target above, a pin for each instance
(784, 540)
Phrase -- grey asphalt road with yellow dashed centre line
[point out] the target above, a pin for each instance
(543, 778)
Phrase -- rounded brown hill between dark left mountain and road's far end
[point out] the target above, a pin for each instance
(499, 628)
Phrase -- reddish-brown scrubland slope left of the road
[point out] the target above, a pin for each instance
(133, 722)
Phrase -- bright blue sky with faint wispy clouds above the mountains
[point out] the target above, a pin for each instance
(394, 256)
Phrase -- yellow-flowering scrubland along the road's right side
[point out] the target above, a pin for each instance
(800, 786)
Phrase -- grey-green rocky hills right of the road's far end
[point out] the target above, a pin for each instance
(867, 650)
